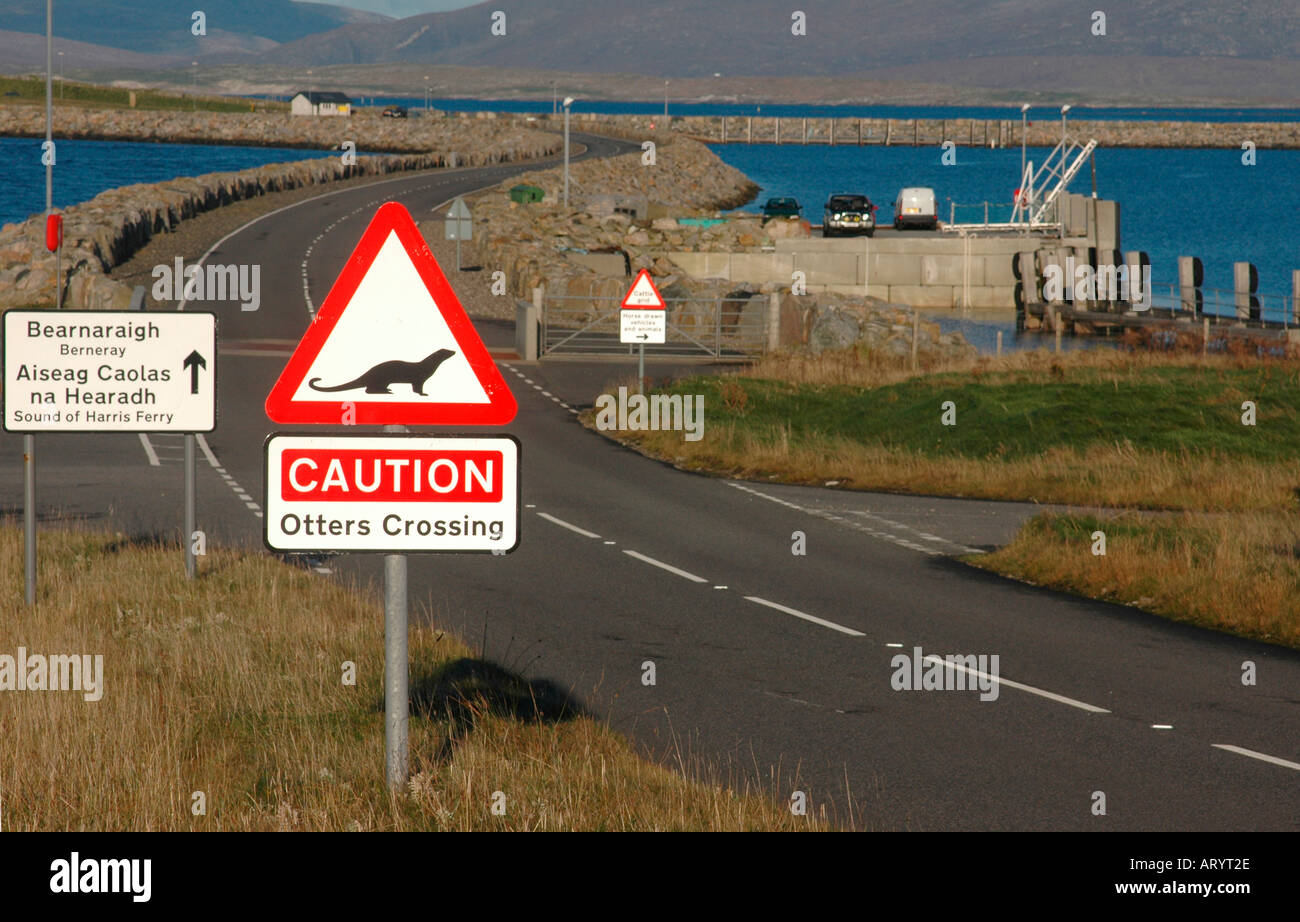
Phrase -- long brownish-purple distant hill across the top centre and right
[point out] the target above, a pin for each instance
(753, 37)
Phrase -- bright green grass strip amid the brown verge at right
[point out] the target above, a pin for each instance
(1019, 415)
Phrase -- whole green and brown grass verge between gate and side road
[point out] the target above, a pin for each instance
(1094, 428)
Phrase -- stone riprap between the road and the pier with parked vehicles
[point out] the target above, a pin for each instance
(627, 215)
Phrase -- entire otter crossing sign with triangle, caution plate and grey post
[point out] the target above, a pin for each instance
(393, 347)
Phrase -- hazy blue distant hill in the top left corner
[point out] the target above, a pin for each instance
(163, 27)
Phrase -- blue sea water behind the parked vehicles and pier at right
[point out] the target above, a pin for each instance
(1173, 202)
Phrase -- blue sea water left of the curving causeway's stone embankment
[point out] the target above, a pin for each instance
(86, 168)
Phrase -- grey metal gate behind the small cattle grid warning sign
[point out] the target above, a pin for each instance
(720, 328)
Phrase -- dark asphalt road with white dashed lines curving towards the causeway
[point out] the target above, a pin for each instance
(773, 669)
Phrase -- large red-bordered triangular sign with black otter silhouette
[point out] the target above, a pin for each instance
(392, 344)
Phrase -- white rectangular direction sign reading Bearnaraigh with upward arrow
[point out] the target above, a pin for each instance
(110, 371)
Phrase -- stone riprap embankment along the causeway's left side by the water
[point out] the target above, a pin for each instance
(105, 232)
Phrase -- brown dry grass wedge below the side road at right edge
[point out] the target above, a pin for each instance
(1230, 573)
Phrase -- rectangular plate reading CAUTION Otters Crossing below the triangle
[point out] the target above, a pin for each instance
(393, 495)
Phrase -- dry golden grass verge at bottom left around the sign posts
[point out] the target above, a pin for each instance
(233, 686)
